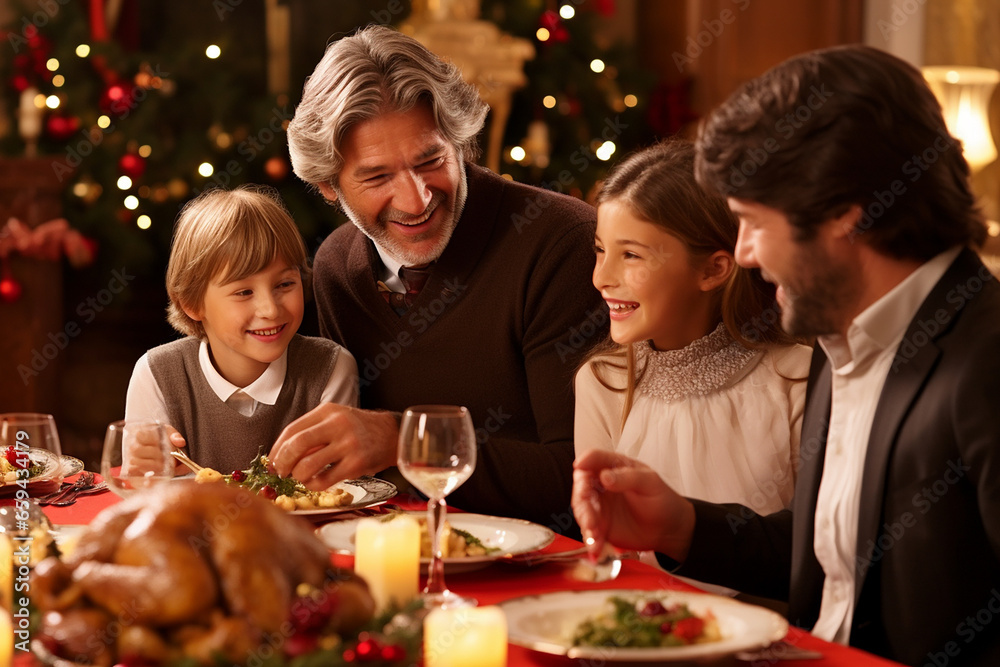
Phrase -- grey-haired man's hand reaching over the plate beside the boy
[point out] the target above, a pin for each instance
(334, 442)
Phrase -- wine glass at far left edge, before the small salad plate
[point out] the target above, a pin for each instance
(35, 442)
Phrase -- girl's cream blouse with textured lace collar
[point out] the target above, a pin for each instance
(717, 421)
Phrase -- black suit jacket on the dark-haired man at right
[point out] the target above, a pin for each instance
(928, 545)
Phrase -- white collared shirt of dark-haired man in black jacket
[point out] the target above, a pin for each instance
(860, 363)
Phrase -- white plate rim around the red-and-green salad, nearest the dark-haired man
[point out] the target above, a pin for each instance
(546, 623)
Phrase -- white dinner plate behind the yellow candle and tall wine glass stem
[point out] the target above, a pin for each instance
(510, 536)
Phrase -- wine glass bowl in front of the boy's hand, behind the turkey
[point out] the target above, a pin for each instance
(136, 456)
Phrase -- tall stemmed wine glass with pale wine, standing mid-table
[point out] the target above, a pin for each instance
(437, 453)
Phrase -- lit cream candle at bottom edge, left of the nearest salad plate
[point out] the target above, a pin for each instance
(465, 636)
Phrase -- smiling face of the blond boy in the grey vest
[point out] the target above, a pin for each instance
(250, 322)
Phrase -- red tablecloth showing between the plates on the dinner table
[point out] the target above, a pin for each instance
(504, 581)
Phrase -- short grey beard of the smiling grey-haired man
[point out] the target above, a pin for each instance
(402, 251)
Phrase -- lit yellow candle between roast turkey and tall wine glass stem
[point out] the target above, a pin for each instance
(387, 556)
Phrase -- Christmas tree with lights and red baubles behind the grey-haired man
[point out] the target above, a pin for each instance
(143, 115)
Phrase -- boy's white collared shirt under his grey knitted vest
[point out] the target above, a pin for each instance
(145, 399)
